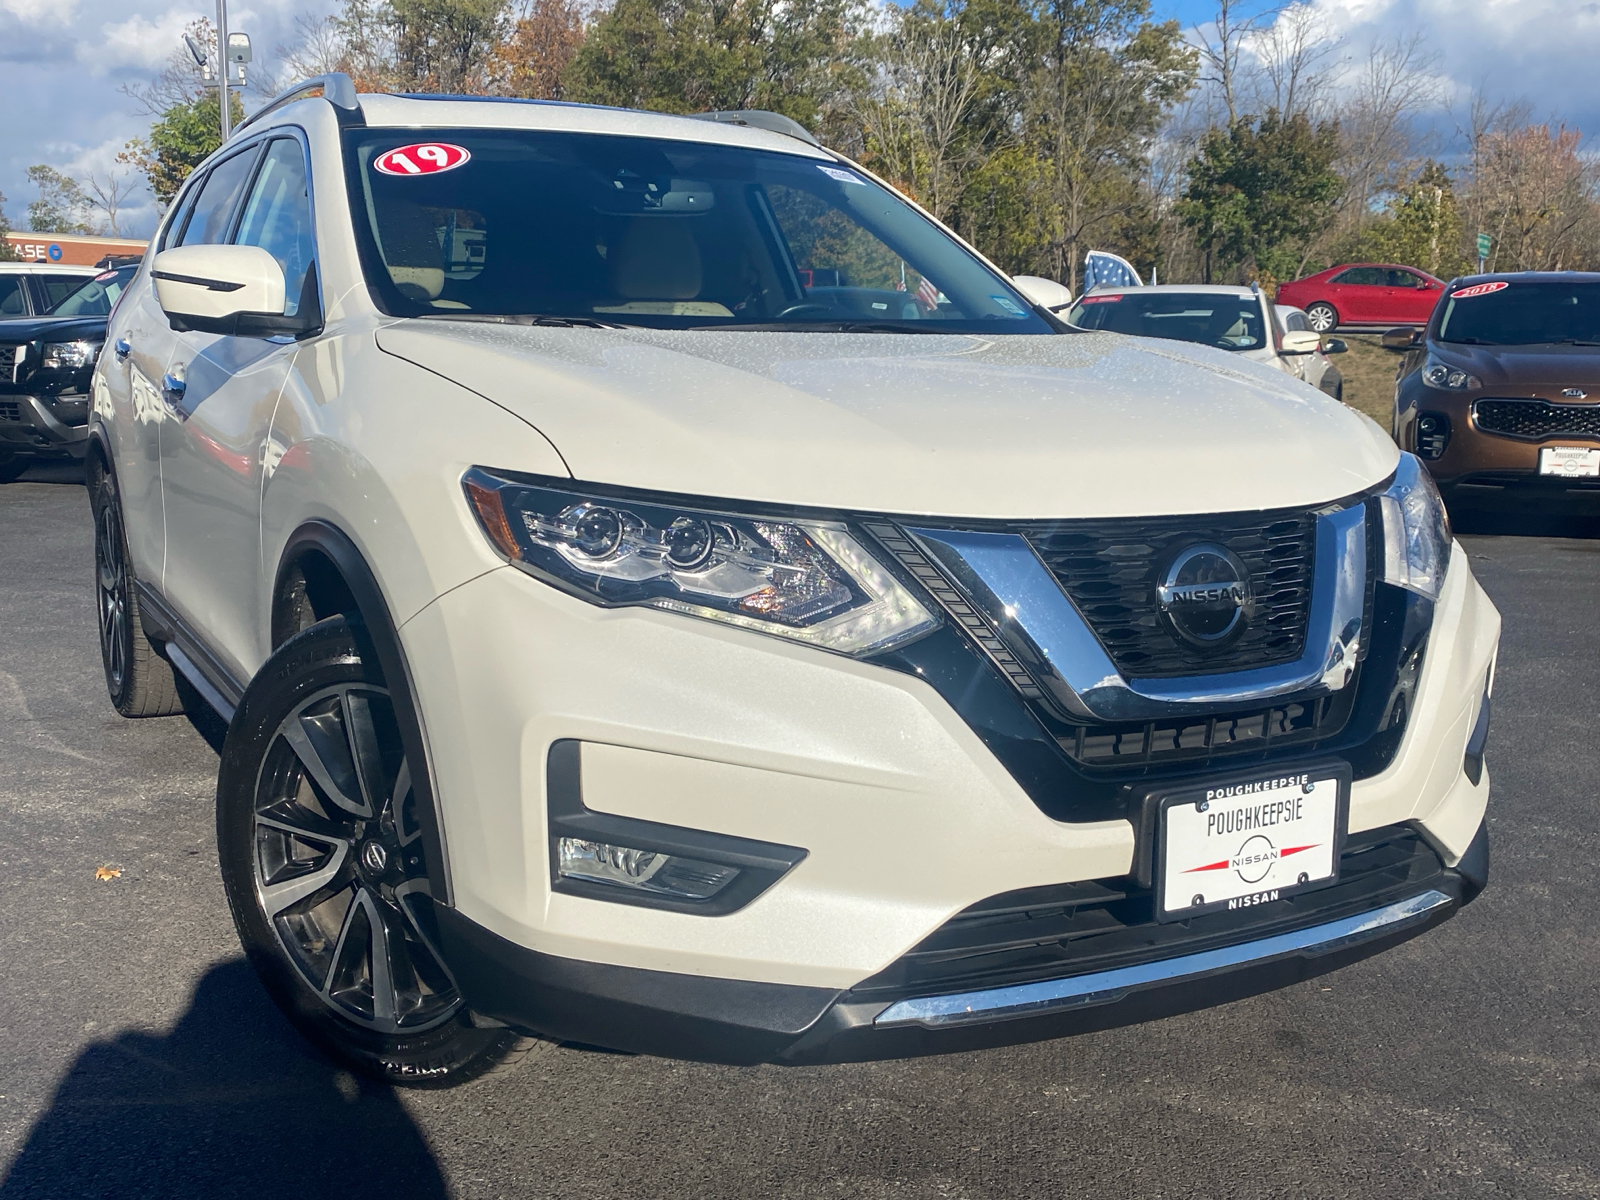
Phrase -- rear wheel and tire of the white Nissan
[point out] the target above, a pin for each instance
(138, 681)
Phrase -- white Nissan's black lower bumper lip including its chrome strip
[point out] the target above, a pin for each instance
(745, 1023)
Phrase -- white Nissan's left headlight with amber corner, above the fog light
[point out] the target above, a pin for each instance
(807, 582)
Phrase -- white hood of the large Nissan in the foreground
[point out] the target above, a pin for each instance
(962, 426)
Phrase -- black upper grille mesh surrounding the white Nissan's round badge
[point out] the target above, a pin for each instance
(1111, 570)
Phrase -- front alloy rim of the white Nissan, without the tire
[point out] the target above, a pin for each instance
(340, 870)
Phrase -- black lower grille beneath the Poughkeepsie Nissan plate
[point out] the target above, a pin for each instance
(1078, 929)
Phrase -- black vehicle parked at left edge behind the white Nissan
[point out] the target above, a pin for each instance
(46, 367)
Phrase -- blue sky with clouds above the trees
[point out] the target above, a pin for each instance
(62, 65)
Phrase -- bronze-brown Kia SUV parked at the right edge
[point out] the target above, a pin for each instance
(1500, 396)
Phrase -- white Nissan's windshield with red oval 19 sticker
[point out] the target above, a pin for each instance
(666, 234)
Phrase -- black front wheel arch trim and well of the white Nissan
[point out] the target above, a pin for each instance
(322, 574)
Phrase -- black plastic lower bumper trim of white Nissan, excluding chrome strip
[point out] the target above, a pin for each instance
(738, 1022)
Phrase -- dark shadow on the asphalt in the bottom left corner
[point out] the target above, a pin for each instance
(230, 1103)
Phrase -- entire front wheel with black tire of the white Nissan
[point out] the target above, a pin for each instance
(324, 865)
